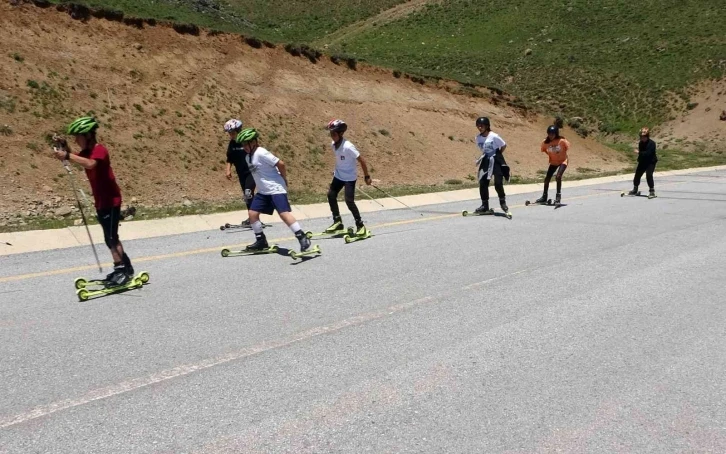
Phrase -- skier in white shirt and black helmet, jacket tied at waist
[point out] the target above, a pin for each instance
(491, 164)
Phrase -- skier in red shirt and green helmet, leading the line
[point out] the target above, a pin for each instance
(94, 158)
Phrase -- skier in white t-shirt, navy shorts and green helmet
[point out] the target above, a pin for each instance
(270, 176)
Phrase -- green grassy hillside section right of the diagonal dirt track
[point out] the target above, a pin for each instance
(613, 61)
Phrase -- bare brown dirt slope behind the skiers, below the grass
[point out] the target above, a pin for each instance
(162, 98)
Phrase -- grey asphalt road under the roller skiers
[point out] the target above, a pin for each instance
(596, 327)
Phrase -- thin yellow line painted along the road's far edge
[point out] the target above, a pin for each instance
(20, 277)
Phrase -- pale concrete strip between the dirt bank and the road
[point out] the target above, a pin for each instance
(43, 240)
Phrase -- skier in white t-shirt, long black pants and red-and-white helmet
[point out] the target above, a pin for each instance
(345, 175)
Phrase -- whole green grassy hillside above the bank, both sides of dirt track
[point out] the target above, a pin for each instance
(614, 63)
